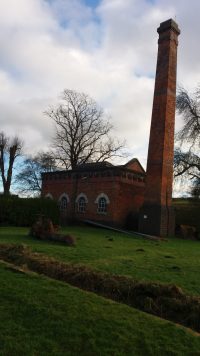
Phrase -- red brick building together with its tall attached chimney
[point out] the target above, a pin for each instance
(107, 193)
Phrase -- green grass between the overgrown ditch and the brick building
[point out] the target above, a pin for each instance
(176, 261)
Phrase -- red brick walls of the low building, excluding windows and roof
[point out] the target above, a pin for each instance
(125, 194)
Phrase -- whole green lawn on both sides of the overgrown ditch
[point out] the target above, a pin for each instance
(40, 316)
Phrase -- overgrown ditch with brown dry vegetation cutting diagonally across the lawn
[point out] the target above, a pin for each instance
(164, 300)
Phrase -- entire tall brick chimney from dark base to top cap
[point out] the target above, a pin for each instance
(157, 215)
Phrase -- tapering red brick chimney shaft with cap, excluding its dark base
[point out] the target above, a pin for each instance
(161, 144)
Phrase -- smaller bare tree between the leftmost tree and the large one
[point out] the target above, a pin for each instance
(29, 179)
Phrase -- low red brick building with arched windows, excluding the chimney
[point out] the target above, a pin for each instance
(97, 191)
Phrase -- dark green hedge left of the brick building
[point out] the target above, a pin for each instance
(16, 211)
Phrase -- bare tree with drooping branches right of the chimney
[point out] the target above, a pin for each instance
(187, 158)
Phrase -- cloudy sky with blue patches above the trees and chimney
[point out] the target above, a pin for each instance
(106, 48)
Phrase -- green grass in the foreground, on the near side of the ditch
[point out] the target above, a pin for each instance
(40, 316)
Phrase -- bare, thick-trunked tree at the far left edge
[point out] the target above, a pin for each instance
(10, 149)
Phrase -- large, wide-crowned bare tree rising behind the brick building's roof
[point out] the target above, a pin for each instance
(82, 133)
